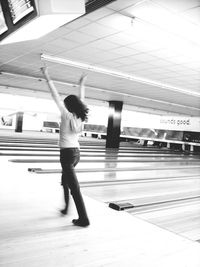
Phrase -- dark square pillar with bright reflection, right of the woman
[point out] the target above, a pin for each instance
(114, 124)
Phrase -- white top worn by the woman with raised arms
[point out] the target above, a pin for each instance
(70, 128)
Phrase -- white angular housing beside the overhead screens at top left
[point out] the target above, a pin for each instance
(51, 15)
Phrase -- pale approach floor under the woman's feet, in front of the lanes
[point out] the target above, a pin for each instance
(32, 234)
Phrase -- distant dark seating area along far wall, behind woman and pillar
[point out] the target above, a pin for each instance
(175, 140)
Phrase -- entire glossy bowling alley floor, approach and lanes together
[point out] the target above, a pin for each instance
(161, 230)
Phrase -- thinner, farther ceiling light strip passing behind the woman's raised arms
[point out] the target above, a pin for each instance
(100, 89)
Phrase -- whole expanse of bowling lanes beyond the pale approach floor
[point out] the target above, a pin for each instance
(145, 177)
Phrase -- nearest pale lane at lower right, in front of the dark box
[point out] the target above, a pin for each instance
(182, 217)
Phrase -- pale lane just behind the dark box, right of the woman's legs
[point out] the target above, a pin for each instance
(148, 191)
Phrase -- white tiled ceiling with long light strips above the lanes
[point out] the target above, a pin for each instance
(148, 51)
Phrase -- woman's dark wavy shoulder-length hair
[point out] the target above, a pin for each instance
(76, 106)
